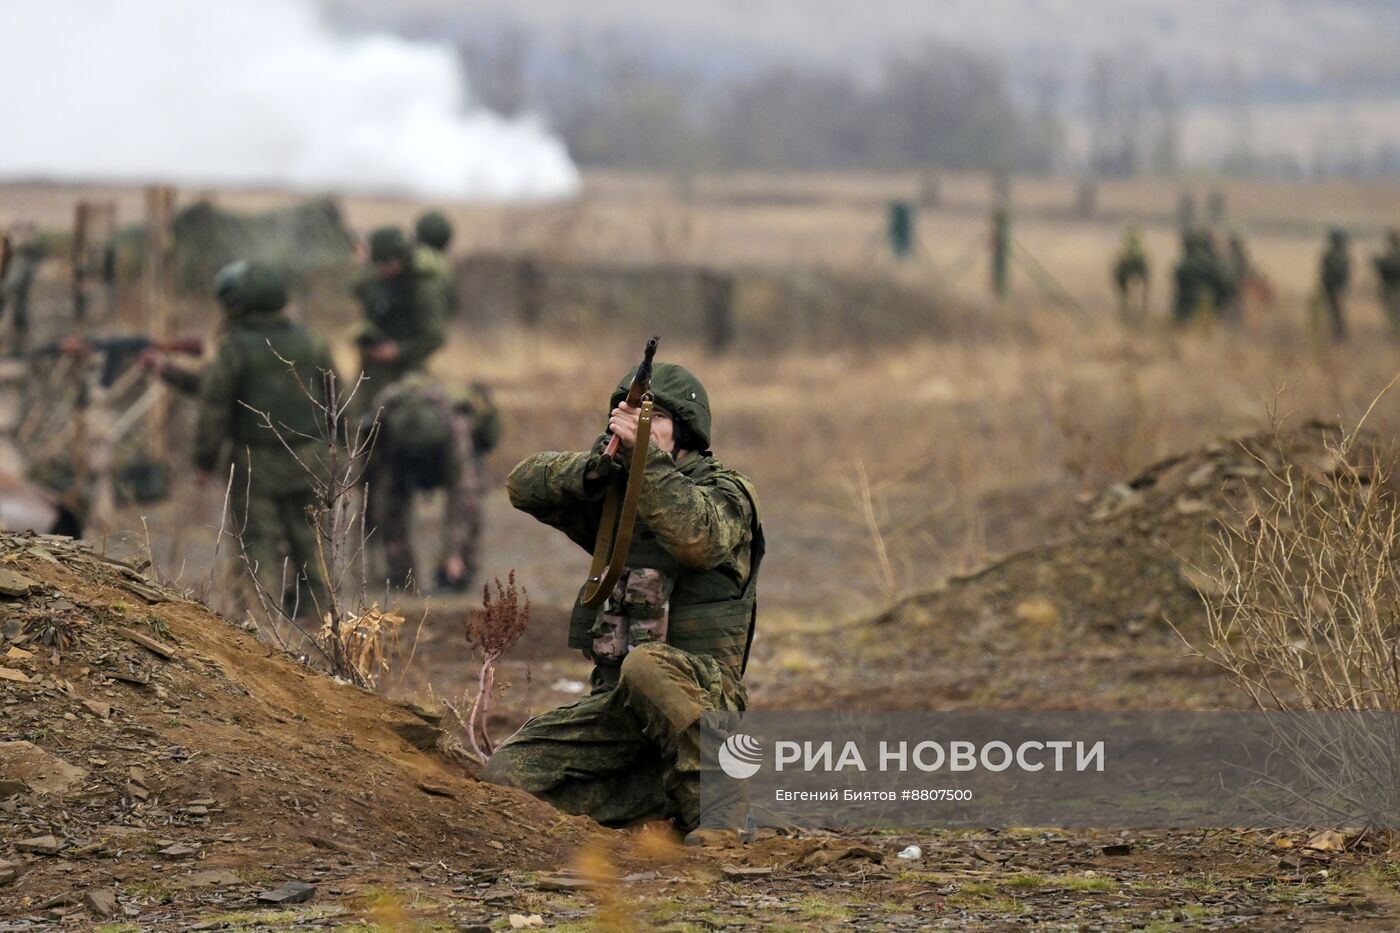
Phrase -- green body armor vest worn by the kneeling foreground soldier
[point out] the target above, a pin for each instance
(712, 613)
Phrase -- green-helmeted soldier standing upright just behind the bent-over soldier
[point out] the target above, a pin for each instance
(405, 313)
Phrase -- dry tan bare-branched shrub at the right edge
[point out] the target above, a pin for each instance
(1305, 618)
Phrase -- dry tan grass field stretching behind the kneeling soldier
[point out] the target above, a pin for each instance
(885, 467)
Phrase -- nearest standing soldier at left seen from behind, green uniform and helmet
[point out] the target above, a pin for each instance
(271, 490)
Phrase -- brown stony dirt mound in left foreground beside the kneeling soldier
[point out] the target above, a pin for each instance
(153, 752)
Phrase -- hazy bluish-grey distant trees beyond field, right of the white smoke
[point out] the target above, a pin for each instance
(941, 107)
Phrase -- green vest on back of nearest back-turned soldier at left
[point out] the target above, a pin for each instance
(269, 386)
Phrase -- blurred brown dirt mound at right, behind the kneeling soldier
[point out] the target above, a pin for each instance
(1142, 557)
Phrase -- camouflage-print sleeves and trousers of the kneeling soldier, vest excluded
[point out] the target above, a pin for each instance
(629, 752)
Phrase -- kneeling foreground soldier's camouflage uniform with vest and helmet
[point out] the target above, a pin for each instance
(629, 750)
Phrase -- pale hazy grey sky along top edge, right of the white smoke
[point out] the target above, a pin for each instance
(1311, 43)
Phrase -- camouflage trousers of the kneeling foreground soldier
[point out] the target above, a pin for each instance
(628, 753)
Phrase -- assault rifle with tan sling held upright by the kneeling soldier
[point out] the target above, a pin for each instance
(619, 515)
